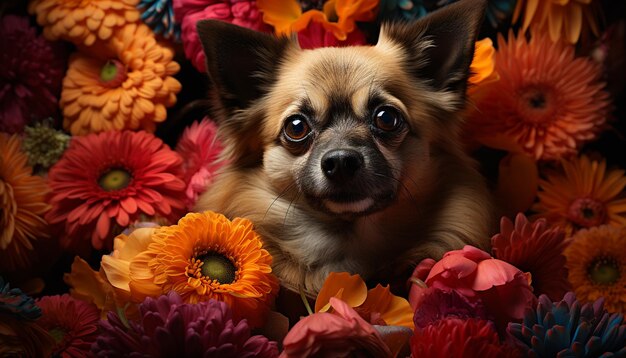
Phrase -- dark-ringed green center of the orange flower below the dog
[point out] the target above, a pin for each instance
(213, 266)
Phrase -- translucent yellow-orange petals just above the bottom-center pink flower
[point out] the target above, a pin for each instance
(377, 306)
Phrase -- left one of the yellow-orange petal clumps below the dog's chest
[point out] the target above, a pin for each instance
(349, 288)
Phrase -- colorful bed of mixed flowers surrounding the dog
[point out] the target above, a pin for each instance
(105, 147)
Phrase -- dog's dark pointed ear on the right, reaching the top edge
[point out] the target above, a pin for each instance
(440, 47)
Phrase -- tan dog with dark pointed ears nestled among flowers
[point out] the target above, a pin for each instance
(348, 159)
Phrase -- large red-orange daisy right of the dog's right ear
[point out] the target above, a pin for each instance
(547, 103)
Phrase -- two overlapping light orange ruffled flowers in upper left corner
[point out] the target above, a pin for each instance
(121, 76)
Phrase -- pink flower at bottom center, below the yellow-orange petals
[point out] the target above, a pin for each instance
(339, 334)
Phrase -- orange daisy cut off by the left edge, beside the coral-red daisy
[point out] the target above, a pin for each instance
(22, 205)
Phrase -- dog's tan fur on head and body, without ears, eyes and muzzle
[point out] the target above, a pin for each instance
(441, 202)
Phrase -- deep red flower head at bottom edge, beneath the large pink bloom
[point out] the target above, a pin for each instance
(454, 337)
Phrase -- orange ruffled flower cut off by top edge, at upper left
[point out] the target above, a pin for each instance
(83, 21)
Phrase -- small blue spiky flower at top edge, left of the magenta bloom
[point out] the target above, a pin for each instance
(159, 15)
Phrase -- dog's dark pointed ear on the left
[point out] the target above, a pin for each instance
(240, 62)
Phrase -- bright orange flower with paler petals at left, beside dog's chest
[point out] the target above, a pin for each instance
(205, 256)
